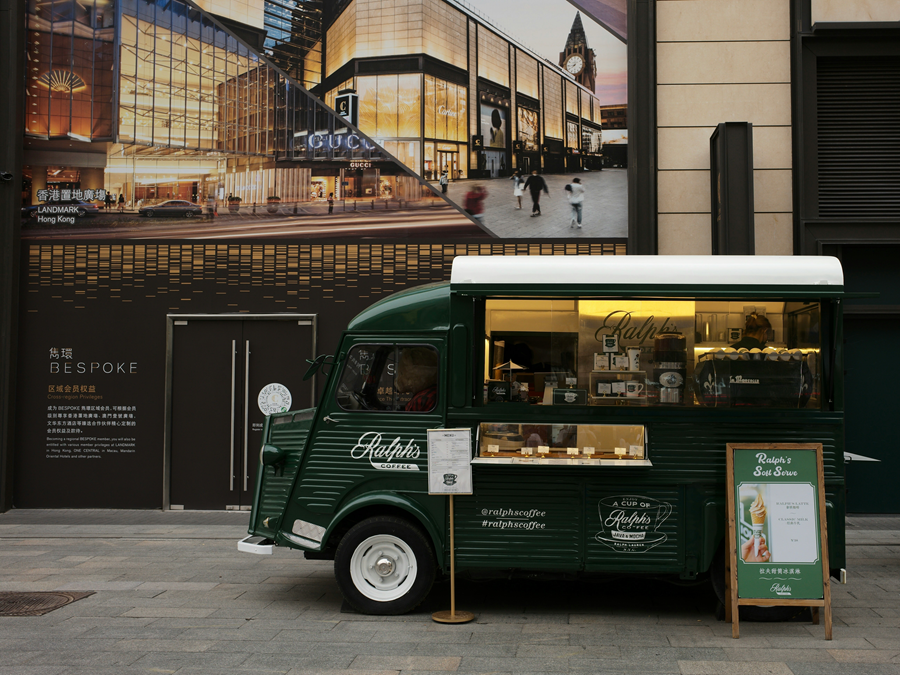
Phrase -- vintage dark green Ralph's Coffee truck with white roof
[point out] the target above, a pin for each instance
(599, 394)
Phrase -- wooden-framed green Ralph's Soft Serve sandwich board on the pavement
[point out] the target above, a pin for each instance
(777, 539)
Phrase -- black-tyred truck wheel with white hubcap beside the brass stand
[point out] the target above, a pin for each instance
(384, 565)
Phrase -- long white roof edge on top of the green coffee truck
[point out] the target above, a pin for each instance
(648, 270)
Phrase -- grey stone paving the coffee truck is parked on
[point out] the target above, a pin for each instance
(173, 595)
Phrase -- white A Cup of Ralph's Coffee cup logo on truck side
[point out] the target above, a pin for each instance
(631, 522)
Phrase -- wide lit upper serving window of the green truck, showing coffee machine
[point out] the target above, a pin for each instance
(709, 353)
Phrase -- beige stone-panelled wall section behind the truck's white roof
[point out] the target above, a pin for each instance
(722, 61)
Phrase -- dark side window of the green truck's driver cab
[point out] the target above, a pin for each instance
(389, 377)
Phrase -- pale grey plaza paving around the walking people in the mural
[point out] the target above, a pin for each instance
(605, 207)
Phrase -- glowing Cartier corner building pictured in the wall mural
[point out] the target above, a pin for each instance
(447, 83)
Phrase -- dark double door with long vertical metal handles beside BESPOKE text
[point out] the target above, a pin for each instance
(225, 375)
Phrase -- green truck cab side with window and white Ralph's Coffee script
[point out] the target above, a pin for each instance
(371, 431)
